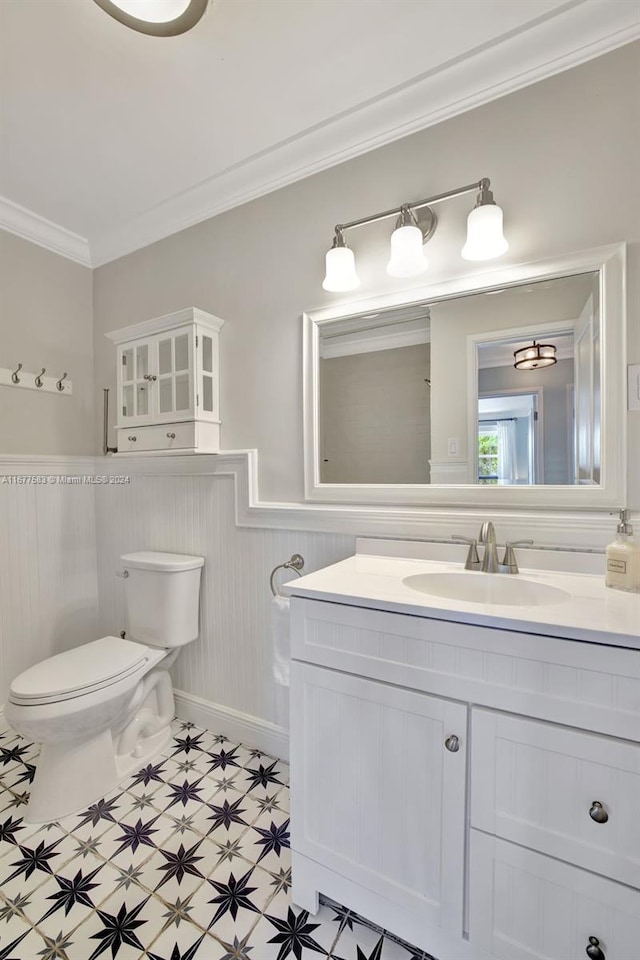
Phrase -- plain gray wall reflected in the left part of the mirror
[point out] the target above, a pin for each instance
(375, 416)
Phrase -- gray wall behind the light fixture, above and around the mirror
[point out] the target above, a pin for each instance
(562, 155)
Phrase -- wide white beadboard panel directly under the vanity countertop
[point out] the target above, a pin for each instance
(583, 685)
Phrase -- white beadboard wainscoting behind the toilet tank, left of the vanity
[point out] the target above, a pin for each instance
(231, 662)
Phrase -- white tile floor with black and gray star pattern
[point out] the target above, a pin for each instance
(188, 860)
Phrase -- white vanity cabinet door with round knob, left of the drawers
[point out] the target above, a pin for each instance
(376, 795)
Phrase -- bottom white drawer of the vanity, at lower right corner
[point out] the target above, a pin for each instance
(526, 906)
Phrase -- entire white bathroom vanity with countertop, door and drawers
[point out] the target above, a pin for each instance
(467, 774)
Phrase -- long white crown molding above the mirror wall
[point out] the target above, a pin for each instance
(568, 36)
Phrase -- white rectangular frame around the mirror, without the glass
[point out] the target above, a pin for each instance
(611, 262)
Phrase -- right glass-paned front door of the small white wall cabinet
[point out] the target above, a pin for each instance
(175, 386)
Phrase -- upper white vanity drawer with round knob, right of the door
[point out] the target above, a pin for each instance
(570, 794)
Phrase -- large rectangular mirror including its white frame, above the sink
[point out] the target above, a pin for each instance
(505, 389)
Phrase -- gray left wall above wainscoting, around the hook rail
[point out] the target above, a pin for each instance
(46, 320)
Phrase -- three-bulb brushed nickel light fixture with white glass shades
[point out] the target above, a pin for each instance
(485, 237)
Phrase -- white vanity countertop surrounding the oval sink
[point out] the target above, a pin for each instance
(593, 613)
